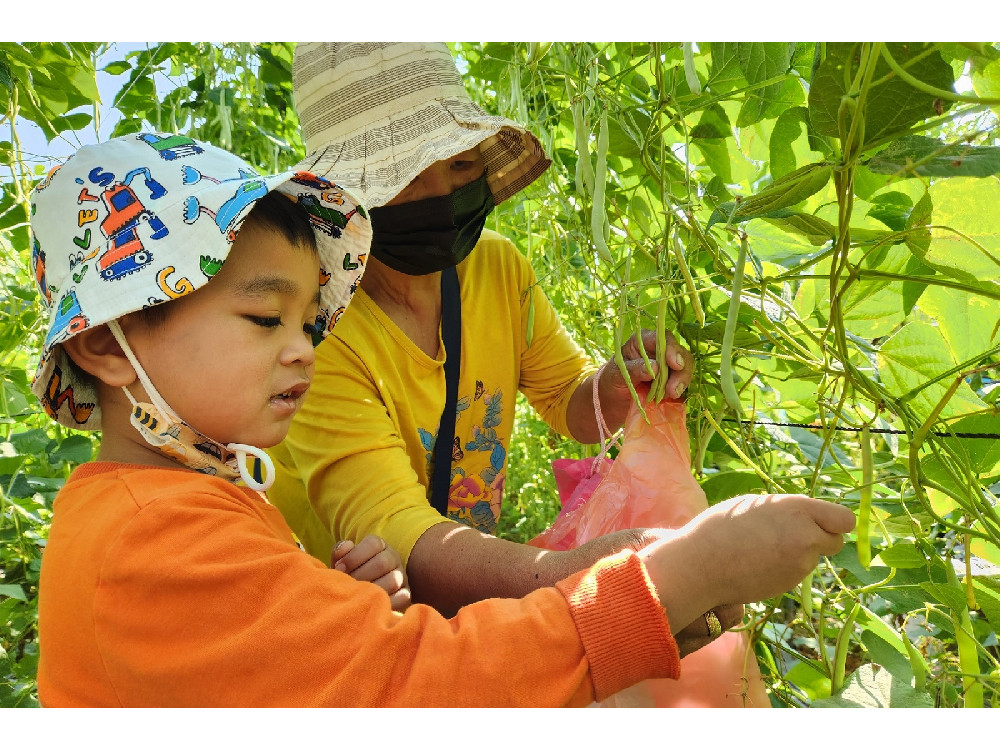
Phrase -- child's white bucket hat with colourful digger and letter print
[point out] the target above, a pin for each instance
(143, 219)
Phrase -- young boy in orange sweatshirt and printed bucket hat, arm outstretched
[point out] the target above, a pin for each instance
(165, 583)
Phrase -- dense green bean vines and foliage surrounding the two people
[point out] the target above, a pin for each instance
(814, 222)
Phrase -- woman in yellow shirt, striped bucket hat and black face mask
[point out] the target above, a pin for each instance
(394, 122)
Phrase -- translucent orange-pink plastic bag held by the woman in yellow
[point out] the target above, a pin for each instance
(650, 485)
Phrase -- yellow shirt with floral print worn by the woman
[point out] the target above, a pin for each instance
(357, 458)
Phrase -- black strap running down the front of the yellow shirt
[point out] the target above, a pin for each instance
(451, 334)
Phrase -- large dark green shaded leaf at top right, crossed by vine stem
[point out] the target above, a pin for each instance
(890, 106)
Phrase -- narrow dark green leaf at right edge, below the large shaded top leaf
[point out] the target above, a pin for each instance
(930, 157)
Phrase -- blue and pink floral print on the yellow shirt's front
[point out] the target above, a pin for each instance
(477, 473)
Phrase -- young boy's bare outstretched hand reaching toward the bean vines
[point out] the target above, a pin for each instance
(745, 549)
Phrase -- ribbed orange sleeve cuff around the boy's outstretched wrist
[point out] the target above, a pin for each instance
(624, 629)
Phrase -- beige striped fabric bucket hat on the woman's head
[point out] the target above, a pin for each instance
(376, 115)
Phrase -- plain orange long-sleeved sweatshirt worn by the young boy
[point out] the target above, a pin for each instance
(165, 587)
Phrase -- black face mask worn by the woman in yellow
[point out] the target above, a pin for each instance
(427, 236)
